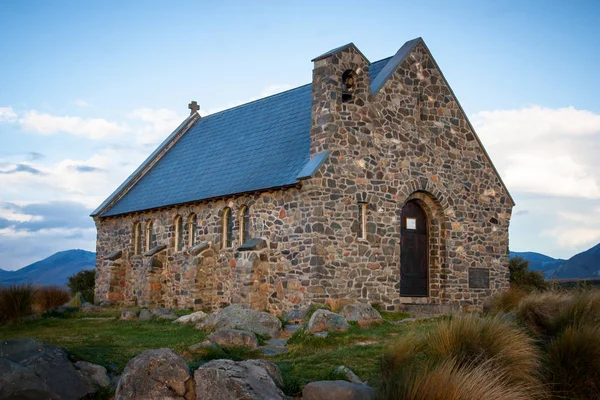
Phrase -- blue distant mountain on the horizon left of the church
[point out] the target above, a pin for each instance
(54, 270)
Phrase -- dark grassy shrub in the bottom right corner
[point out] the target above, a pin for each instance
(574, 363)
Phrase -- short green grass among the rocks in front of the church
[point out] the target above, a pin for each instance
(112, 343)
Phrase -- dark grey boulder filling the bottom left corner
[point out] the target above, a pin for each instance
(33, 370)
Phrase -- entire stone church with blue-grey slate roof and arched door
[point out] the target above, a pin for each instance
(368, 184)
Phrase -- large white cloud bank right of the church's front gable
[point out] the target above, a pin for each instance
(544, 150)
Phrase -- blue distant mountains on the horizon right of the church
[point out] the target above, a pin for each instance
(582, 265)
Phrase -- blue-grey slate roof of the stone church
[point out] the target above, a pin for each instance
(259, 145)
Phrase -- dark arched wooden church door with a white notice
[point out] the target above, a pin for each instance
(414, 251)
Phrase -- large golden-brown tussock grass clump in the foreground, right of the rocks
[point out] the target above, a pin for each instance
(464, 349)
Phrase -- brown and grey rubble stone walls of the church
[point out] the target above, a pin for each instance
(408, 141)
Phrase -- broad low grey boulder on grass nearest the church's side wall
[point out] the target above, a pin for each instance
(237, 317)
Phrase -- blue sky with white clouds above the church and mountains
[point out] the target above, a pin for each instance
(88, 89)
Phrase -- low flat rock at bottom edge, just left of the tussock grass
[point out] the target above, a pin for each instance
(337, 390)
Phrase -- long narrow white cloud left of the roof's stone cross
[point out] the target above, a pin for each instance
(91, 128)
